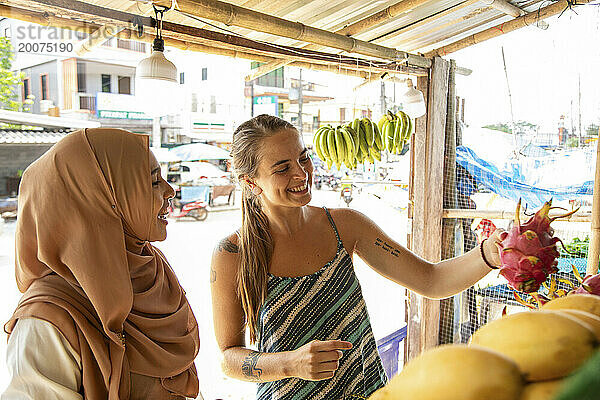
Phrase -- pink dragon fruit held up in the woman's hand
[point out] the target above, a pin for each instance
(528, 252)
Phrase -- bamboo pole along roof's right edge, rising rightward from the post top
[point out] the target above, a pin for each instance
(512, 25)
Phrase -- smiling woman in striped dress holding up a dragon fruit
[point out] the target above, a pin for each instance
(286, 277)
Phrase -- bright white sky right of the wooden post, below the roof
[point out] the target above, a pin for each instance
(543, 70)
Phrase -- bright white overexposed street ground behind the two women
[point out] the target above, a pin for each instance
(189, 247)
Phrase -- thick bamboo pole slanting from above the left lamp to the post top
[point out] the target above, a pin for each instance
(232, 15)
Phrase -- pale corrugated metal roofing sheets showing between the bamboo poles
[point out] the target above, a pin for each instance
(426, 27)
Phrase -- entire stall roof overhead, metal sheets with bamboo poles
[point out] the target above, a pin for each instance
(353, 37)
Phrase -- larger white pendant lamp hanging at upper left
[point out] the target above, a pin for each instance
(156, 86)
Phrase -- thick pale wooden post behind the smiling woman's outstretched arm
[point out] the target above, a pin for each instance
(423, 315)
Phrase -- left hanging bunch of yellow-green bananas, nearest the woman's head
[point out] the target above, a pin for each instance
(350, 144)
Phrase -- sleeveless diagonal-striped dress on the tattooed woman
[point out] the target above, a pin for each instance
(325, 305)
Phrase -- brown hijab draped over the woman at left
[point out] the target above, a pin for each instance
(85, 265)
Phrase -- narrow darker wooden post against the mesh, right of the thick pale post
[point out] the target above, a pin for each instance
(450, 201)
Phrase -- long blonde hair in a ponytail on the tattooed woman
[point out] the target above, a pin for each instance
(255, 242)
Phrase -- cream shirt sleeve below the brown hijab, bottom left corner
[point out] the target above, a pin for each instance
(41, 363)
